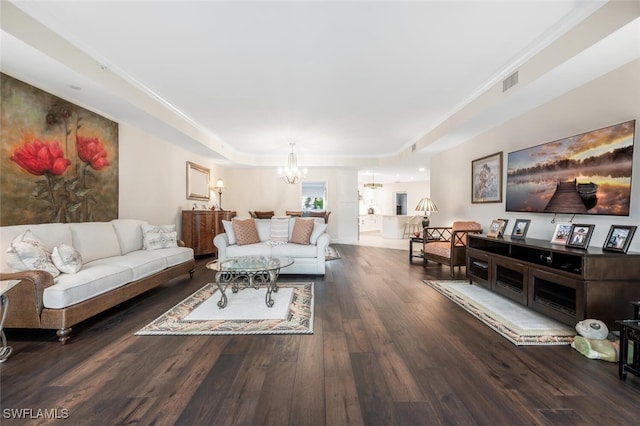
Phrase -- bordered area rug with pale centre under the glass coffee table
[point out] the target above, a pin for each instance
(198, 314)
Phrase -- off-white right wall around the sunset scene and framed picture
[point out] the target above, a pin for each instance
(611, 99)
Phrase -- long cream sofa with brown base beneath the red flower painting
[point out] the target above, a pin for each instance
(114, 267)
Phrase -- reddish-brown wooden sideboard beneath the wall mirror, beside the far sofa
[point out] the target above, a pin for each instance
(199, 227)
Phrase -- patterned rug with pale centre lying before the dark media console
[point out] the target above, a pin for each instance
(518, 324)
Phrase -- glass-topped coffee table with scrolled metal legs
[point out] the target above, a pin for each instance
(248, 271)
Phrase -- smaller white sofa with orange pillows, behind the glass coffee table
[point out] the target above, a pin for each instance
(308, 259)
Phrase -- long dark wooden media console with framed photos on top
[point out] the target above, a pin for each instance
(564, 283)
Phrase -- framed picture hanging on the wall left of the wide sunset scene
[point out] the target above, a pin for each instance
(486, 179)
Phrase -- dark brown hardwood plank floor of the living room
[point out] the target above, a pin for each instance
(386, 350)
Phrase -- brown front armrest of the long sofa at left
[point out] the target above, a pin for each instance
(26, 299)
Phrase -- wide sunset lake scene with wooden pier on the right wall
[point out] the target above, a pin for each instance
(589, 173)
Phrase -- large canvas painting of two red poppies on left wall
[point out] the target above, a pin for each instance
(59, 161)
